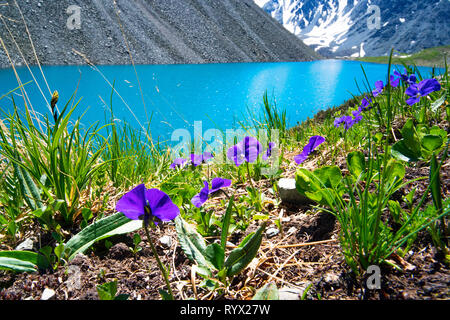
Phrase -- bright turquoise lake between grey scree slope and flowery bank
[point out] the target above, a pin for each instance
(175, 96)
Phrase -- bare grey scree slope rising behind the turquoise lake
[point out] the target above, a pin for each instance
(157, 32)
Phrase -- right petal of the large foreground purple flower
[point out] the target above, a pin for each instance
(161, 205)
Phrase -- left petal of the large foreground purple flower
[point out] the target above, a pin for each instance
(132, 203)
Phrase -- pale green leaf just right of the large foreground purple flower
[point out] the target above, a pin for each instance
(191, 242)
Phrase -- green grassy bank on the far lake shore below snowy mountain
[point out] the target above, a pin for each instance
(428, 57)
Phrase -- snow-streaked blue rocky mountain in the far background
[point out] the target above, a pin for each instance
(337, 28)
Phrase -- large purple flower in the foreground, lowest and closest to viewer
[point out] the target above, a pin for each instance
(148, 205)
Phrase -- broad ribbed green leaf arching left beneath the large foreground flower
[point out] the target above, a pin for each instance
(114, 224)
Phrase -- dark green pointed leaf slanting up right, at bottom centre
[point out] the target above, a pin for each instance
(240, 257)
